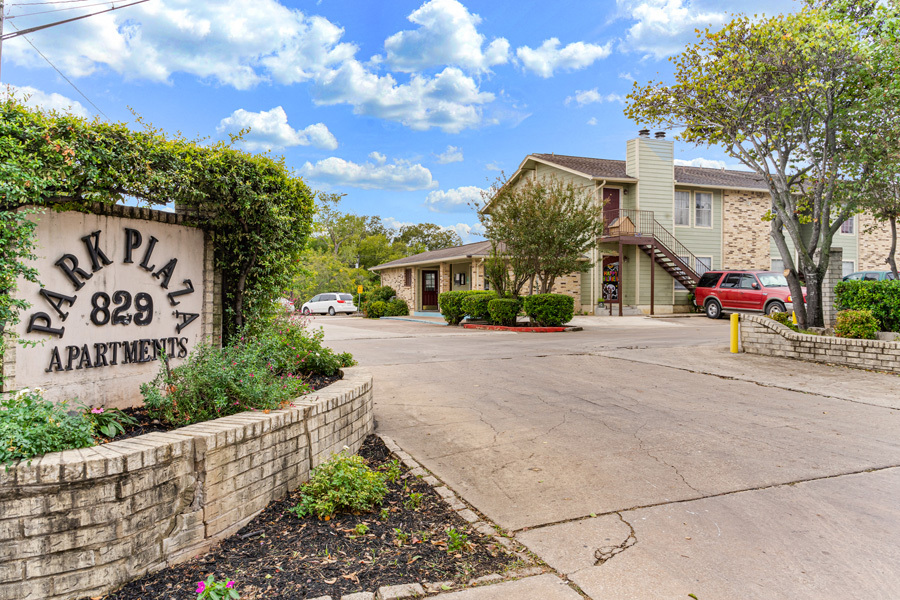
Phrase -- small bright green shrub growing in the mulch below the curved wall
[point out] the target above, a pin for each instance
(343, 483)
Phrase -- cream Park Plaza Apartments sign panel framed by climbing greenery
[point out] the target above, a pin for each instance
(118, 293)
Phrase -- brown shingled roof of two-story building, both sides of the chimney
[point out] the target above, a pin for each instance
(615, 169)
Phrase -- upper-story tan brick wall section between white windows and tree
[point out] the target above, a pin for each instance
(746, 235)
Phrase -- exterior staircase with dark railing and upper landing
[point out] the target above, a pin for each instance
(640, 228)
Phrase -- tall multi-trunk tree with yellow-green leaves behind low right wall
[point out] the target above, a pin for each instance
(785, 96)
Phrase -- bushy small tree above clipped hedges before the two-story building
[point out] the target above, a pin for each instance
(542, 228)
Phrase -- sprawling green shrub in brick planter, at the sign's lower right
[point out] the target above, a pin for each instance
(264, 372)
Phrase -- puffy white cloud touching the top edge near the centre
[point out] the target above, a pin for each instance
(447, 35)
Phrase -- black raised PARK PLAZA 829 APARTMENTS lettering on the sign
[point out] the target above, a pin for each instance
(118, 308)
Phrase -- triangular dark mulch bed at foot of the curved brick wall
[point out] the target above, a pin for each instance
(279, 556)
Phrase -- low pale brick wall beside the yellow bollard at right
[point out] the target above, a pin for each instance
(762, 335)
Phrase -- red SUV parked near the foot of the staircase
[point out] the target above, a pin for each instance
(746, 291)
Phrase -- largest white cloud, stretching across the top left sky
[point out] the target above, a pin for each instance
(221, 41)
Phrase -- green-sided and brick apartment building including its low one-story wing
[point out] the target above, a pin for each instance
(664, 226)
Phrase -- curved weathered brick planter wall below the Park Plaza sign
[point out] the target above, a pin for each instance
(82, 522)
